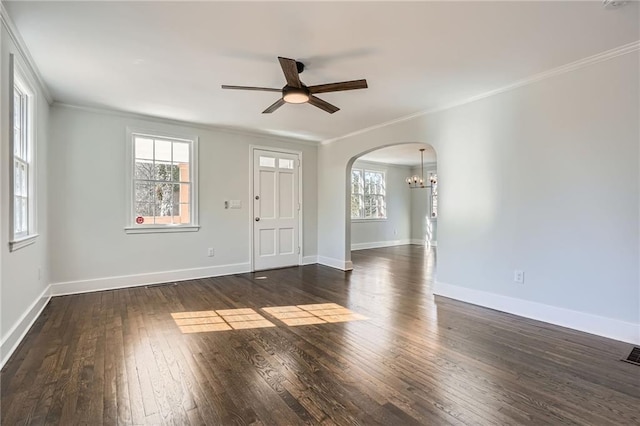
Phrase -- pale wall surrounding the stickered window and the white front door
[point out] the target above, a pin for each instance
(89, 247)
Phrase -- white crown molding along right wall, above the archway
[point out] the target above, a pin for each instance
(572, 66)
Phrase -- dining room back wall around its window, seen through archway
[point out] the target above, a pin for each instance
(396, 229)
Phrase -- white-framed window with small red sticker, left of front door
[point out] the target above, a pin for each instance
(163, 187)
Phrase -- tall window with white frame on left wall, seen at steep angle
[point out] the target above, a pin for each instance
(22, 185)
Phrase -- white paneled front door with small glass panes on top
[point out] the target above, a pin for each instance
(276, 209)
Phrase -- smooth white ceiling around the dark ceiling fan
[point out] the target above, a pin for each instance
(168, 59)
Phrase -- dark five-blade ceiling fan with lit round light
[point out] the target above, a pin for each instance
(296, 92)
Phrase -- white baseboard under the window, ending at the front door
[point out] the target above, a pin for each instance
(112, 283)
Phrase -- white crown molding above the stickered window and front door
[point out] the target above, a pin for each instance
(174, 122)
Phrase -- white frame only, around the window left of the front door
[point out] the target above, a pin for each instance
(131, 226)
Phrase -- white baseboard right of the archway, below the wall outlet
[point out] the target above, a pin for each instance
(589, 323)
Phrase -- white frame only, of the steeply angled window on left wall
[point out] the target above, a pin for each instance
(19, 80)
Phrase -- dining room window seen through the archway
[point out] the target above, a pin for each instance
(368, 194)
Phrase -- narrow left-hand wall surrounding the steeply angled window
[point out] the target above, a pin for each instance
(23, 288)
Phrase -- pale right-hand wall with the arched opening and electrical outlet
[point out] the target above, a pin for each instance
(543, 178)
